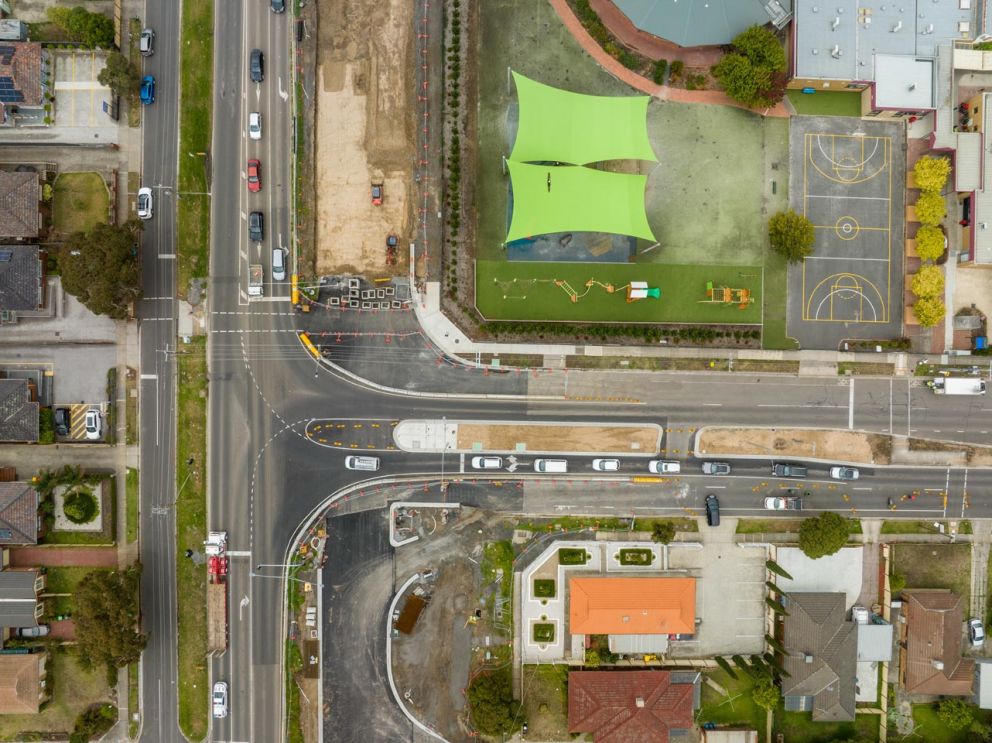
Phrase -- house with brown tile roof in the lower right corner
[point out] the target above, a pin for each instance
(930, 659)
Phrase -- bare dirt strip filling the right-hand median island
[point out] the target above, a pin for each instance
(842, 446)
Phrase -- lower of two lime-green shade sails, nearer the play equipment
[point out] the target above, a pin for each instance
(549, 199)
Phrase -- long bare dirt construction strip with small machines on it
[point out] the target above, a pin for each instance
(364, 133)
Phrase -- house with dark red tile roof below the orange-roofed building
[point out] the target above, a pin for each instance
(632, 706)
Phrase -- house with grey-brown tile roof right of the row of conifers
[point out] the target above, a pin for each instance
(821, 656)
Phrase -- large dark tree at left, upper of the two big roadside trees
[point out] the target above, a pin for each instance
(101, 267)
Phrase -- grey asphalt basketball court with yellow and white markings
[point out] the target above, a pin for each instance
(848, 178)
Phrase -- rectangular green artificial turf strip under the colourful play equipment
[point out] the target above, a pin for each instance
(534, 297)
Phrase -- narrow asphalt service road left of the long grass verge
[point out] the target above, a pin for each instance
(157, 335)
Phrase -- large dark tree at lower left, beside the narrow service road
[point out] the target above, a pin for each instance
(106, 618)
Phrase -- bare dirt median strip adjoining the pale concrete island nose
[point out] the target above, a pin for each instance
(564, 439)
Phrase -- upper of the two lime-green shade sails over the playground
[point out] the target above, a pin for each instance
(560, 126)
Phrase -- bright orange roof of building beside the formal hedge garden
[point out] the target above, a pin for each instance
(632, 606)
